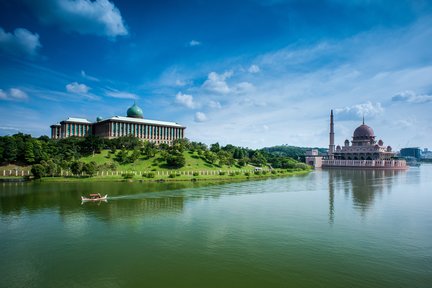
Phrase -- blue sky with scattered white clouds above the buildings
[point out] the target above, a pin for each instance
(249, 73)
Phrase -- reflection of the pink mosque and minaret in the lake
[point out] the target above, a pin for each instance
(363, 186)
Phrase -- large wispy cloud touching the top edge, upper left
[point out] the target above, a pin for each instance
(100, 17)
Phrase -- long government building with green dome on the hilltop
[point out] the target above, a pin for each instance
(133, 124)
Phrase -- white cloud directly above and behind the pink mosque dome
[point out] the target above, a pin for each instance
(356, 112)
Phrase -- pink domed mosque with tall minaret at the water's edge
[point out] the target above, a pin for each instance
(363, 152)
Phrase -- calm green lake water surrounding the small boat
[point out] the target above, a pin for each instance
(330, 228)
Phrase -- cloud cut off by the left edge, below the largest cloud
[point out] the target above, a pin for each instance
(20, 42)
